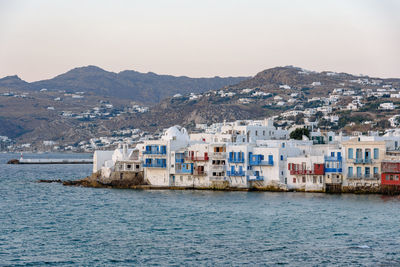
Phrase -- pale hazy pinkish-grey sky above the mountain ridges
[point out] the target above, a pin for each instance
(40, 39)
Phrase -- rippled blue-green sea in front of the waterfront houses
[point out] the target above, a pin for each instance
(57, 225)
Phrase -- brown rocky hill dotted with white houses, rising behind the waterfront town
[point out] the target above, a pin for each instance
(254, 98)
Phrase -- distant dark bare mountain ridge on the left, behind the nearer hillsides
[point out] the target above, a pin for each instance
(129, 84)
